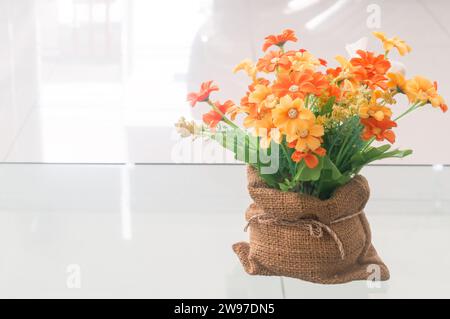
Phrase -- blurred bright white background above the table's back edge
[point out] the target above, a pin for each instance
(103, 81)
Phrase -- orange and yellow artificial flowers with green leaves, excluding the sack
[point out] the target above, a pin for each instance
(319, 122)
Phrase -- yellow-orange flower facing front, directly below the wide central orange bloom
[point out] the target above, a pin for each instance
(289, 113)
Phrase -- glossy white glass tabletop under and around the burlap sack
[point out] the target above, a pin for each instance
(165, 231)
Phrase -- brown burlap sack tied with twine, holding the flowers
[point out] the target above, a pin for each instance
(300, 236)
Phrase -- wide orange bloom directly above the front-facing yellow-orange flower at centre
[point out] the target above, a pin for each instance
(299, 84)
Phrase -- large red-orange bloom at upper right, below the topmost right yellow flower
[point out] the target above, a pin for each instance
(370, 69)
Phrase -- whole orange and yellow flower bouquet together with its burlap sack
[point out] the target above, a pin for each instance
(306, 132)
